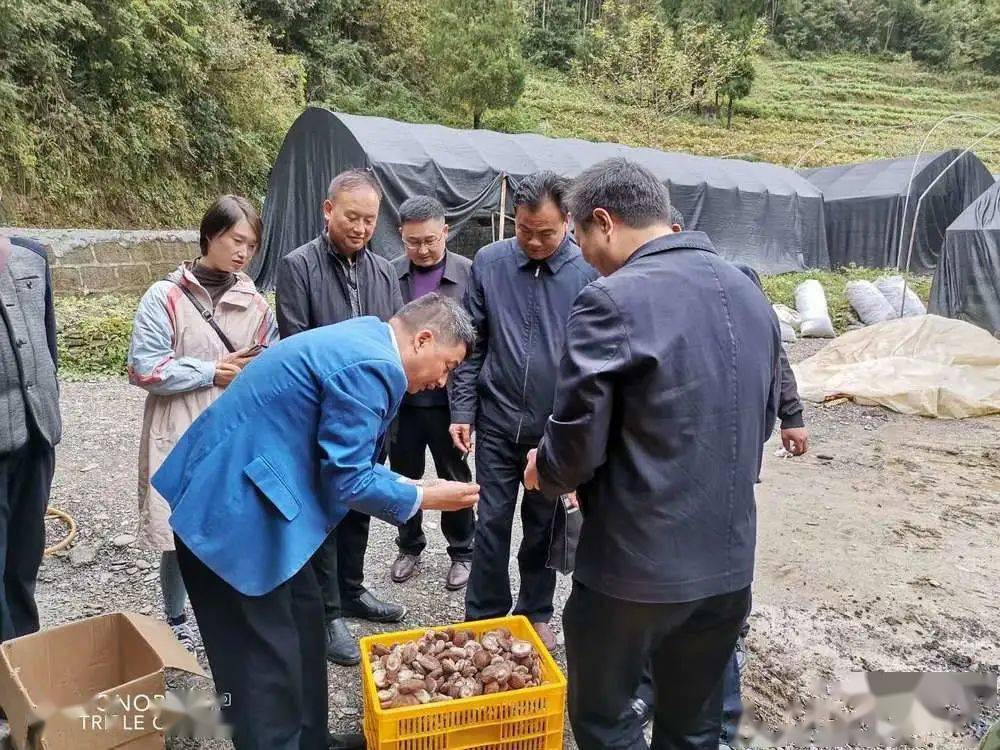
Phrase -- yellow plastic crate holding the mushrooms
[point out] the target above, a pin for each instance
(526, 719)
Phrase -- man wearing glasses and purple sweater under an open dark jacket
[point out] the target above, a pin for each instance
(427, 266)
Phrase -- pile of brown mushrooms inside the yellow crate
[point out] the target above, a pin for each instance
(447, 664)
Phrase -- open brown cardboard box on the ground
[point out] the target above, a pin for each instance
(94, 684)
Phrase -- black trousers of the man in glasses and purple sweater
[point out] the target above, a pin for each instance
(417, 429)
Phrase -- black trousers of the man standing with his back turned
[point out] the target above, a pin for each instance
(610, 643)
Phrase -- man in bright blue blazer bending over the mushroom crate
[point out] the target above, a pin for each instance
(262, 477)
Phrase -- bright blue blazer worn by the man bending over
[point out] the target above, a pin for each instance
(282, 490)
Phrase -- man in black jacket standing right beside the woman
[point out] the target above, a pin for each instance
(333, 278)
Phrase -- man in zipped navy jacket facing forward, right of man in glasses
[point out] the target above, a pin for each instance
(519, 297)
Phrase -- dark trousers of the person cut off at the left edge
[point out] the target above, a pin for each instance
(25, 483)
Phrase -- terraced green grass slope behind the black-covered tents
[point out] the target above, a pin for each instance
(870, 107)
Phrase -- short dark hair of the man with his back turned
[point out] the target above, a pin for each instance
(624, 189)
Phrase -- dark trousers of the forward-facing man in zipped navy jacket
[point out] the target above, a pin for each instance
(500, 466)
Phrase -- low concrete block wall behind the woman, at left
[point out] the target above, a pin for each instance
(86, 261)
